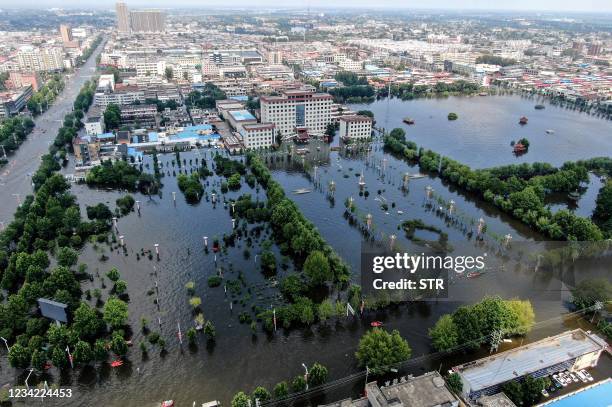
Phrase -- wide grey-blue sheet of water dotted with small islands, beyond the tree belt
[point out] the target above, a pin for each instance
(481, 136)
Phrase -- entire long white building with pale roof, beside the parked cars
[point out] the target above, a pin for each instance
(570, 350)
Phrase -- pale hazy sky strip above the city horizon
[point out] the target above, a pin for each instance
(547, 5)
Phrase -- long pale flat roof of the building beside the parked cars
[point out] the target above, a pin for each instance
(518, 362)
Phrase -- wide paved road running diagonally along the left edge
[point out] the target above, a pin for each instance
(15, 181)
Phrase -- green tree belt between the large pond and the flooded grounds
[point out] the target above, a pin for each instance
(518, 190)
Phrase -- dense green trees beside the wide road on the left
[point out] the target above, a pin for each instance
(49, 221)
